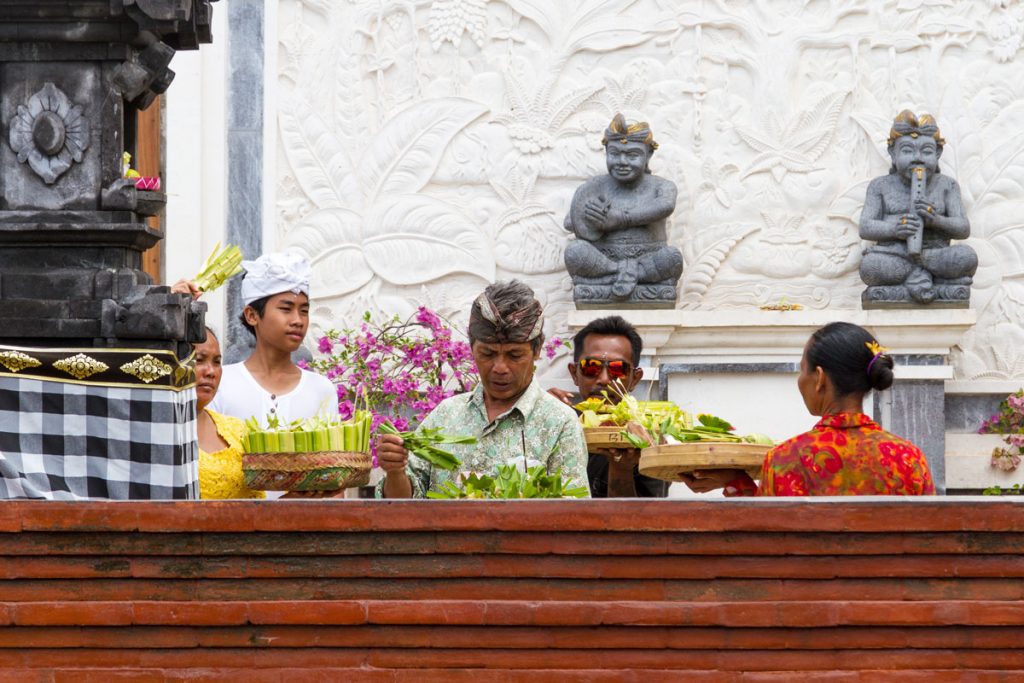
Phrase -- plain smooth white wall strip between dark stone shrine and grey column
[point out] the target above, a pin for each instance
(194, 127)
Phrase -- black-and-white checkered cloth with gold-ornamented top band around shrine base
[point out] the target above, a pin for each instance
(79, 424)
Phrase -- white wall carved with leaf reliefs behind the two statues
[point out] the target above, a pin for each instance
(426, 148)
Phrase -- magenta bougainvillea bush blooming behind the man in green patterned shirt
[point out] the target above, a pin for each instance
(399, 370)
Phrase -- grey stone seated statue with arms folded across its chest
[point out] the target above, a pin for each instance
(620, 254)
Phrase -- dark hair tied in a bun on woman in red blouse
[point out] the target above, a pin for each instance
(841, 350)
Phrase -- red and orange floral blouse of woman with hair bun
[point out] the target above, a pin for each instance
(847, 454)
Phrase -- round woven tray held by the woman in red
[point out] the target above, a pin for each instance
(666, 462)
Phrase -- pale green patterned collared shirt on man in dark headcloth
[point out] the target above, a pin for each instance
(546, 429)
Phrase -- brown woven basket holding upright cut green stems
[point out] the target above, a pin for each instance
(328, 471)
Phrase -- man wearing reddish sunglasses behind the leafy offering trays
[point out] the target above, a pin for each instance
(607, 352)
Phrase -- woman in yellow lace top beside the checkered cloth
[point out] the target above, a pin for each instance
(220, 436)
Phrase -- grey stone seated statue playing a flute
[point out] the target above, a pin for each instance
(912, 215)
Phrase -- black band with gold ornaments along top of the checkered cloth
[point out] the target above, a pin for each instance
(103, 367)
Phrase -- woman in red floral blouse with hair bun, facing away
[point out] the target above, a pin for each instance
(847, 453)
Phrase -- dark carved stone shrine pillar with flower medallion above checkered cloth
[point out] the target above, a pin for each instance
(73, 76)
